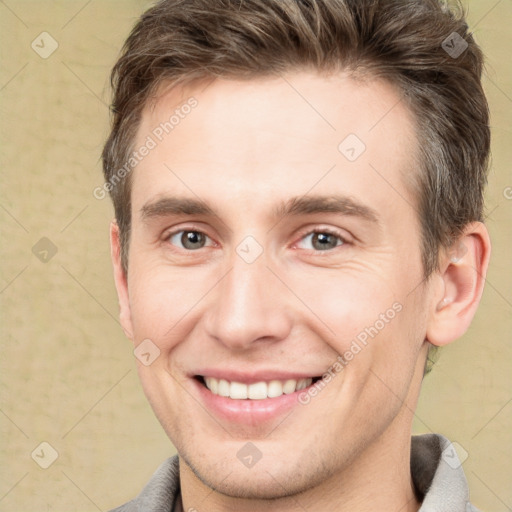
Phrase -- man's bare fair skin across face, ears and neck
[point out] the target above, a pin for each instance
(246, 148)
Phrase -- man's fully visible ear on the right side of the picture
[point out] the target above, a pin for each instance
(459, 284)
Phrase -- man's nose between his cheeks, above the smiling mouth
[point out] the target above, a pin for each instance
(249, 305)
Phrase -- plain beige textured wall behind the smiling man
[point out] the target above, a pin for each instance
(67, 373)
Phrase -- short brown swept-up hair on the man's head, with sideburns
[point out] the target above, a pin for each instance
(421, 46)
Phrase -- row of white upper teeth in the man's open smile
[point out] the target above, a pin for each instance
(256, 391)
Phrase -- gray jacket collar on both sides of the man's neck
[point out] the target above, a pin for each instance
(435, 468)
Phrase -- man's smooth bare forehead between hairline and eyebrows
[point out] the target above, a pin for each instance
(276, 136)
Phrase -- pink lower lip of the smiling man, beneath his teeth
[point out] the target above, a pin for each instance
(248, 412)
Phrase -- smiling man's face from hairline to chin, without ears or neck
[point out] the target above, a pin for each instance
(261, 250)
